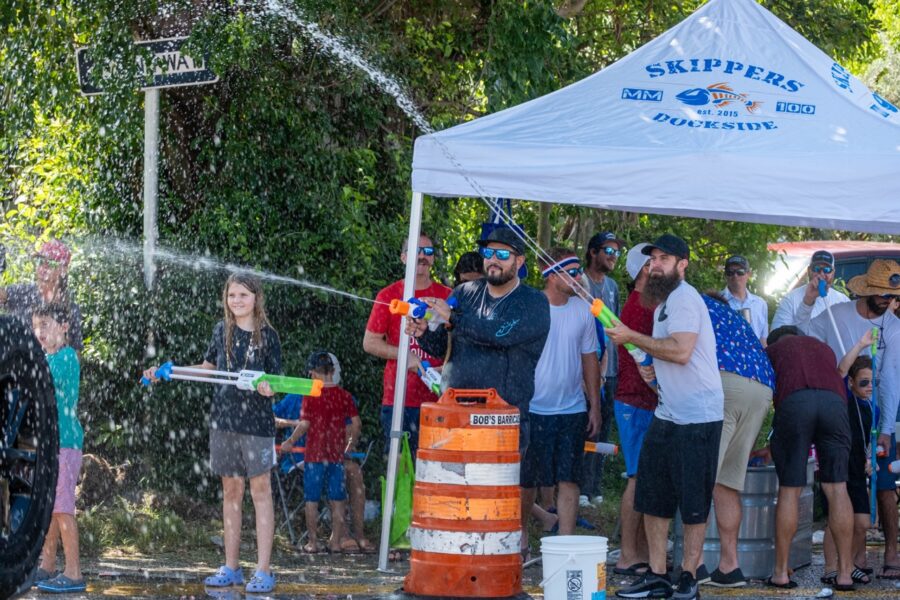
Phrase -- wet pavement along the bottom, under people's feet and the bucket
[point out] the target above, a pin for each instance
(333, 577)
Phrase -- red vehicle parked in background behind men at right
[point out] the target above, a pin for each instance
(851, 258)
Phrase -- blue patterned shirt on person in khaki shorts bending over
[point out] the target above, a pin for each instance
(738, 350)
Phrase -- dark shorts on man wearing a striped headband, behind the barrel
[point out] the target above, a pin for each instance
(555, 451)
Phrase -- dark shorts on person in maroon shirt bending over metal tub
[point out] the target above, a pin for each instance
(803, 418)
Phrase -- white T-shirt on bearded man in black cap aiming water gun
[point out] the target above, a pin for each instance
(690, 393)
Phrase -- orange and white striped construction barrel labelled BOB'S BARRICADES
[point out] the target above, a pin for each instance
(466, 519)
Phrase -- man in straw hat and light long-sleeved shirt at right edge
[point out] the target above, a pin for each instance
(878, 294)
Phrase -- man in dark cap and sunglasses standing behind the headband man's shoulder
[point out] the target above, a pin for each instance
(603, 252)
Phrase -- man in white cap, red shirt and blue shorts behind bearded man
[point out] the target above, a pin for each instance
(634, 406)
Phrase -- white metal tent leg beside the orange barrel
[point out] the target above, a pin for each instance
(387, 511)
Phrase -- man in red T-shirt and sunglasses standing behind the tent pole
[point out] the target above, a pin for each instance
(383, 335)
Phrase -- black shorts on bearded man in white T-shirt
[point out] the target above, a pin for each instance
(678, 470)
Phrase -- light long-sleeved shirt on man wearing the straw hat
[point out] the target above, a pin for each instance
(851, 326)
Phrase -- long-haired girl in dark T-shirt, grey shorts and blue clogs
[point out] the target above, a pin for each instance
(242, 426)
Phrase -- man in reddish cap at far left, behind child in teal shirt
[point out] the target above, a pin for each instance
(51, 279)
